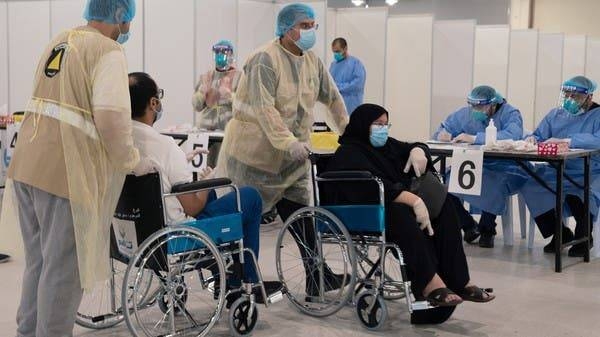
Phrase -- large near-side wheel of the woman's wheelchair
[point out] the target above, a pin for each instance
(316, 262)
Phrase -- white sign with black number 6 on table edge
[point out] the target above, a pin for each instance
(465, 177)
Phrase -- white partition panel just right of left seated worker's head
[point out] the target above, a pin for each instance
(522, 72)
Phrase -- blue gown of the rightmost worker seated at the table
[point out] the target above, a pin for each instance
(584, 132)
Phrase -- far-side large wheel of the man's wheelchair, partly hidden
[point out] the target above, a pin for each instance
(101, 308)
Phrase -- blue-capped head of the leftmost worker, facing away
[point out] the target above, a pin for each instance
(111, 17)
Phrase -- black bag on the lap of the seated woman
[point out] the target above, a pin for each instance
(429, 188)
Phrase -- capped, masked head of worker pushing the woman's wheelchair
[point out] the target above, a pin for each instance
(296, 27)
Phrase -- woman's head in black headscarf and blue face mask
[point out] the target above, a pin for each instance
(368, 124)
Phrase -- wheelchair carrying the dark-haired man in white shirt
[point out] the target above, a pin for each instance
(174, 282)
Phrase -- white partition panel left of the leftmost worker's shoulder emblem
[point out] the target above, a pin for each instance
(28, 35)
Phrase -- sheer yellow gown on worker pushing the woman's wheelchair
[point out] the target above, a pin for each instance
(273, 108)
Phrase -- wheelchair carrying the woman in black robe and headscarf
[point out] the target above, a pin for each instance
(347, 239)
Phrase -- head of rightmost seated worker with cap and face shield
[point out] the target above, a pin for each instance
(577, 95)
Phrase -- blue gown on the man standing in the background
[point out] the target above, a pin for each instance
(349, 75)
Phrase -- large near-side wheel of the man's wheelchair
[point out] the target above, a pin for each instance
(177, 256)
